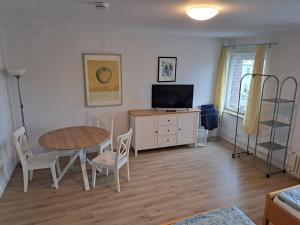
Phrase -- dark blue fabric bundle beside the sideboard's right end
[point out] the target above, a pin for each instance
(209, 117)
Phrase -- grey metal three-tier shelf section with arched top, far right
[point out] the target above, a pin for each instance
(279, 125)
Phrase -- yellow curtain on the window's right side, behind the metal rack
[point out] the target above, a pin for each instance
(251, 116)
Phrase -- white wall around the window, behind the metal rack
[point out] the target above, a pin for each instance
(283, 61)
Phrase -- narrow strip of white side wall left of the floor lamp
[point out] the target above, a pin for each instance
(8, 157)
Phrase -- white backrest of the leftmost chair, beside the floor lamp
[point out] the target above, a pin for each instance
(21, 144)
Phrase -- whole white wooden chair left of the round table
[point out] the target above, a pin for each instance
(32, 162)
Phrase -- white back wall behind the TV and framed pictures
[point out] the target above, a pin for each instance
(53, 88)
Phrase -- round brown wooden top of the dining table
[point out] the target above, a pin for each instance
(73, 138)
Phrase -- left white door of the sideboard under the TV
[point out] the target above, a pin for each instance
(146, 132)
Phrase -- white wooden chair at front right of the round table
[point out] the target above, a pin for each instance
(114, 160)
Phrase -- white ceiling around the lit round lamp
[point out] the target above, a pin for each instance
(236, 17)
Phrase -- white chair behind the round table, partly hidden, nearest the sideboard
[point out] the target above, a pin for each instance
(93, 120)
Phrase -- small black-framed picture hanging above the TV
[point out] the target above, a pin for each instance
(167, 69)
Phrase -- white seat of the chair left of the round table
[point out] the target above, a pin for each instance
(43, 160)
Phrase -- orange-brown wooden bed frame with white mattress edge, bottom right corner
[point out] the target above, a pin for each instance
(278, 212)
